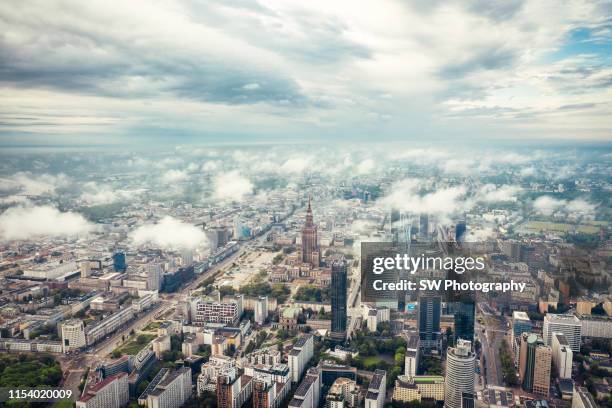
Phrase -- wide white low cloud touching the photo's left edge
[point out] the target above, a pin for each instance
(19, 223)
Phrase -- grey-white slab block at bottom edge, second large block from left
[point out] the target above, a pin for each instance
(172, 391)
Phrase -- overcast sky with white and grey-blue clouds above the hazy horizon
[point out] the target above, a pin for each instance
(237, 71)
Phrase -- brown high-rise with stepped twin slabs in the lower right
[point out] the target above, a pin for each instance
(536, 358)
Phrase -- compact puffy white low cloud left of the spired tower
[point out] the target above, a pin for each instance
(169, 233)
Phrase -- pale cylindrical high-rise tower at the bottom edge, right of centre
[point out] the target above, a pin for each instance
(460, 363)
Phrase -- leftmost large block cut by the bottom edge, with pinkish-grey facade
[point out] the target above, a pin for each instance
(111, 392)
